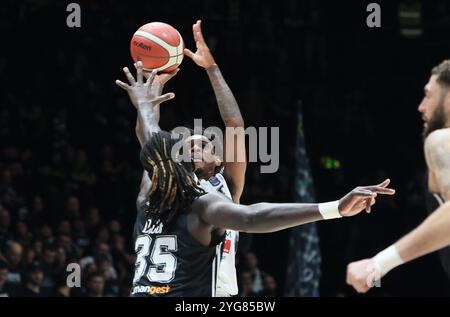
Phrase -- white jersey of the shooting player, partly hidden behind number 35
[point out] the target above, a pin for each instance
(226, 278)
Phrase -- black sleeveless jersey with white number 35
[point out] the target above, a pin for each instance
(170, 262)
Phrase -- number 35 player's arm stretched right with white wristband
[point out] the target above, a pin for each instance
(269, 217)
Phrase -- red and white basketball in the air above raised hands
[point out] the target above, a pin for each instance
(158, 46)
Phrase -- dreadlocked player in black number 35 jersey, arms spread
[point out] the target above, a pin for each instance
(179, 225)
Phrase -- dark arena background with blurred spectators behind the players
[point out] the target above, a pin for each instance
(346, 93)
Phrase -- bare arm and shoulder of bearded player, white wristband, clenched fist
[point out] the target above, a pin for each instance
(431, 235)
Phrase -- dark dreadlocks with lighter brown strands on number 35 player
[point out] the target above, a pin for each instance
(173, 185)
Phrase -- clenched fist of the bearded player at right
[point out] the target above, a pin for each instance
(363, 275)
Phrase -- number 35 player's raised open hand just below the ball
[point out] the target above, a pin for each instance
(140, 92)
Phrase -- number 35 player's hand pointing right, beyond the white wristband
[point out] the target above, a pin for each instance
(362, 197)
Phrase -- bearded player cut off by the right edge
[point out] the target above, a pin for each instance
(433, 233)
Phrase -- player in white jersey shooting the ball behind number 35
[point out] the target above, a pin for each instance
(226, 177)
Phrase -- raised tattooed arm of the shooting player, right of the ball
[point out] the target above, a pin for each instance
(234, 154)
